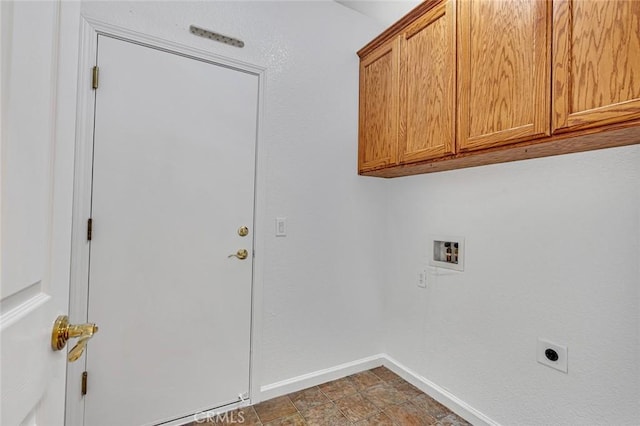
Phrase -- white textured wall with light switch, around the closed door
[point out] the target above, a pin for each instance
(321, 284)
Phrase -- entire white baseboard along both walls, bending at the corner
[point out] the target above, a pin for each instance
(333, 373)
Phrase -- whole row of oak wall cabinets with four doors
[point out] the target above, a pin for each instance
(465, 83)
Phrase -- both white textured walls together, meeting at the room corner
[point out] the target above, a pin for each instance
(552, 244)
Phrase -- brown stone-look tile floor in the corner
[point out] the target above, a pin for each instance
(376, 397)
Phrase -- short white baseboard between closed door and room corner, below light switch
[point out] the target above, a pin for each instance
(317, 377)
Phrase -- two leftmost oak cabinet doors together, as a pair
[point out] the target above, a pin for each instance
(398, 124)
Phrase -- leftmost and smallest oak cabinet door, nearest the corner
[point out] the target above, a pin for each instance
(378, 126)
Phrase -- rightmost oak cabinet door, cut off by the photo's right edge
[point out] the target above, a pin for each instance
(596, 64)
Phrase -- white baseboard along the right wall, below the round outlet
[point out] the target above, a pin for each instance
(438, 393)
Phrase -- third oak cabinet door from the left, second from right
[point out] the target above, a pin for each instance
(503, 71)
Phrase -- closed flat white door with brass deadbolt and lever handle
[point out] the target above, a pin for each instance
(173, 181)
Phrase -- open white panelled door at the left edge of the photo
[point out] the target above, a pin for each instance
(39, 69)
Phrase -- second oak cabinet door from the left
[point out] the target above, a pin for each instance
(427, 86)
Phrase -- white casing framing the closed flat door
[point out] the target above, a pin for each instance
(90, 29)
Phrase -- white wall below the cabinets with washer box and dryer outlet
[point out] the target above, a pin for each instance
(552, 251)
